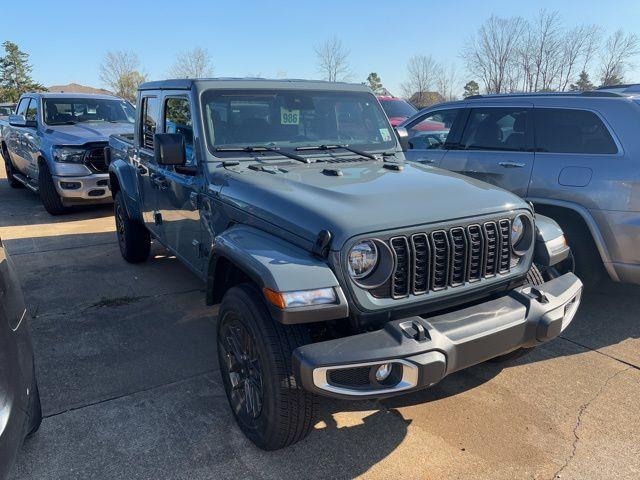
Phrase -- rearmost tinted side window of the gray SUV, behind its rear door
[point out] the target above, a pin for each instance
(560, 130)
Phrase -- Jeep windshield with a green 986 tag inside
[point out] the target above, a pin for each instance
(290, 119)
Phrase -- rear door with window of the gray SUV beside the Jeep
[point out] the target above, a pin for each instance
(496, 146)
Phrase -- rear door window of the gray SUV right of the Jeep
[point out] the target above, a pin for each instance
(503, 129)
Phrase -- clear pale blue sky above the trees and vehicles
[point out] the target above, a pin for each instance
(67, 40)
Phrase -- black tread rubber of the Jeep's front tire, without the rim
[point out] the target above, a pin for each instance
(287, 412)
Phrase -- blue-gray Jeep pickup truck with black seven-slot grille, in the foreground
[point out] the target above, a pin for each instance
(340, 269)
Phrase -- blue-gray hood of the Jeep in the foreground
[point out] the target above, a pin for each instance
(366, 198)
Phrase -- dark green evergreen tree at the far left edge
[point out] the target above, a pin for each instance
(15, 74)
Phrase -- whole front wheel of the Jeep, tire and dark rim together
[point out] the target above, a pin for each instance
(254, 353)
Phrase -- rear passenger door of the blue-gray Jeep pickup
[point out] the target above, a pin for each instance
(144, 160)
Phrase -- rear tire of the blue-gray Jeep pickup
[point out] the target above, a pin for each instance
(133, 237)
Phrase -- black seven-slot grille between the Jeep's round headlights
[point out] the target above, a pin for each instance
(450, 258)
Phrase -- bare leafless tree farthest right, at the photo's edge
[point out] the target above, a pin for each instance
(616, 56)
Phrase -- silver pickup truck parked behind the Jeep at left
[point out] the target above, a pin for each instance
(54, 145)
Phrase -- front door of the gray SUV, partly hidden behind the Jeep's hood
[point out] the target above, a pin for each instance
(430, 133)
